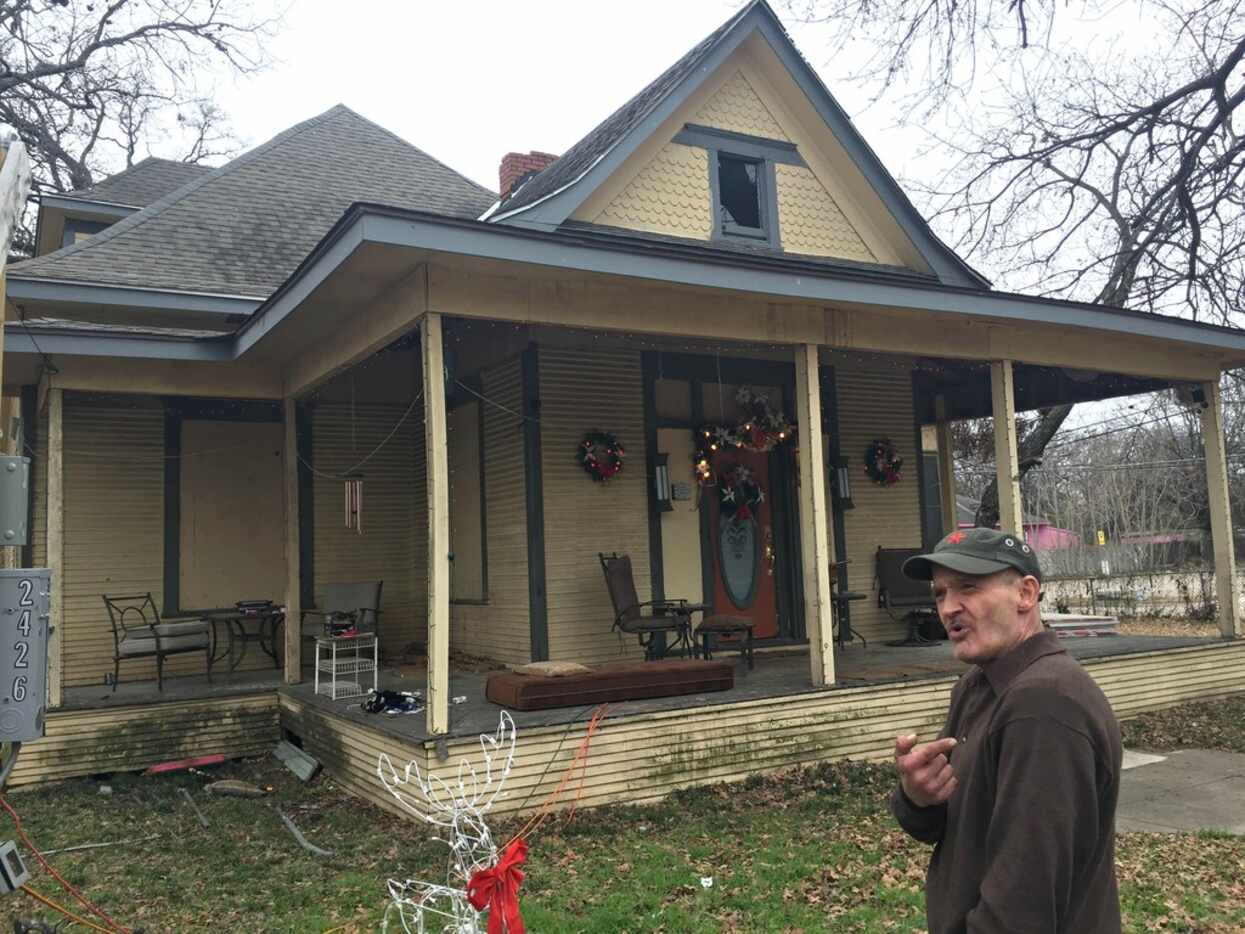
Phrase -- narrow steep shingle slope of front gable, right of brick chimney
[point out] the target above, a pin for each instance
(583, 155)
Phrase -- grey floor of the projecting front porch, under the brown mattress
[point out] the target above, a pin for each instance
(776, 674)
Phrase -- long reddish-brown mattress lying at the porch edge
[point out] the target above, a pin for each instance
(616, 682)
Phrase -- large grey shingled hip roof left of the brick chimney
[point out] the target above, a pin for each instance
(243, 229)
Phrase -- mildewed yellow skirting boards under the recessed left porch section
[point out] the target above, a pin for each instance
(126, 739)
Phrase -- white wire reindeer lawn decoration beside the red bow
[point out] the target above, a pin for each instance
(458, 808)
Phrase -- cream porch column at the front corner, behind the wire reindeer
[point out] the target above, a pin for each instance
(439, 522)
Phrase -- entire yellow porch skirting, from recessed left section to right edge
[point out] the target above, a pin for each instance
(636, 758)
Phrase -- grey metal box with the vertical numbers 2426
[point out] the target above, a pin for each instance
(26, 602)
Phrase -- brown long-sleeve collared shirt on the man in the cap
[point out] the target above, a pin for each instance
(1027, 842)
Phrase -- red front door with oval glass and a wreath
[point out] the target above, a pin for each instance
(741, 534)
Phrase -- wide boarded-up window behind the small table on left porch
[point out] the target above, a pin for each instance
(233, 514)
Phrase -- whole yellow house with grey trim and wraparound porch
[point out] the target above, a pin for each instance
(334, 359)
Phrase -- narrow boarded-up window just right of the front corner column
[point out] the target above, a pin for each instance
(467, 575)
